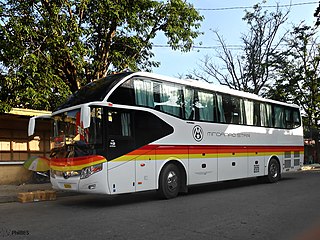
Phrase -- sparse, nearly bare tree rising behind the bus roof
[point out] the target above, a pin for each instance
(252, 70)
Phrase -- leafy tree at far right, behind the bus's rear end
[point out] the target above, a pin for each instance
(299, 73)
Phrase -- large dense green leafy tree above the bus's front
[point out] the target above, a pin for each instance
(51, 48)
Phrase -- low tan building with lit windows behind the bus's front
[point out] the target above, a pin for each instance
(16, 146)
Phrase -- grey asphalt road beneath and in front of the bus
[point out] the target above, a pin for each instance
(244, 209)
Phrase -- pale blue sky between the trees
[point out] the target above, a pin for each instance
(229, 24)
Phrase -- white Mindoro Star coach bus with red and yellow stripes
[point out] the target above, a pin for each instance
(138, 131)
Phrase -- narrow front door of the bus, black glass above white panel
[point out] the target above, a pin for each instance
(120, 142)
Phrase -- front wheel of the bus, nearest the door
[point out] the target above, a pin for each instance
(169, 182)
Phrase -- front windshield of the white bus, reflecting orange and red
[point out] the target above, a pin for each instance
(70, 139)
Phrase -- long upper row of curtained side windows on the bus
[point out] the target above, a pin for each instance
(202, 105)
